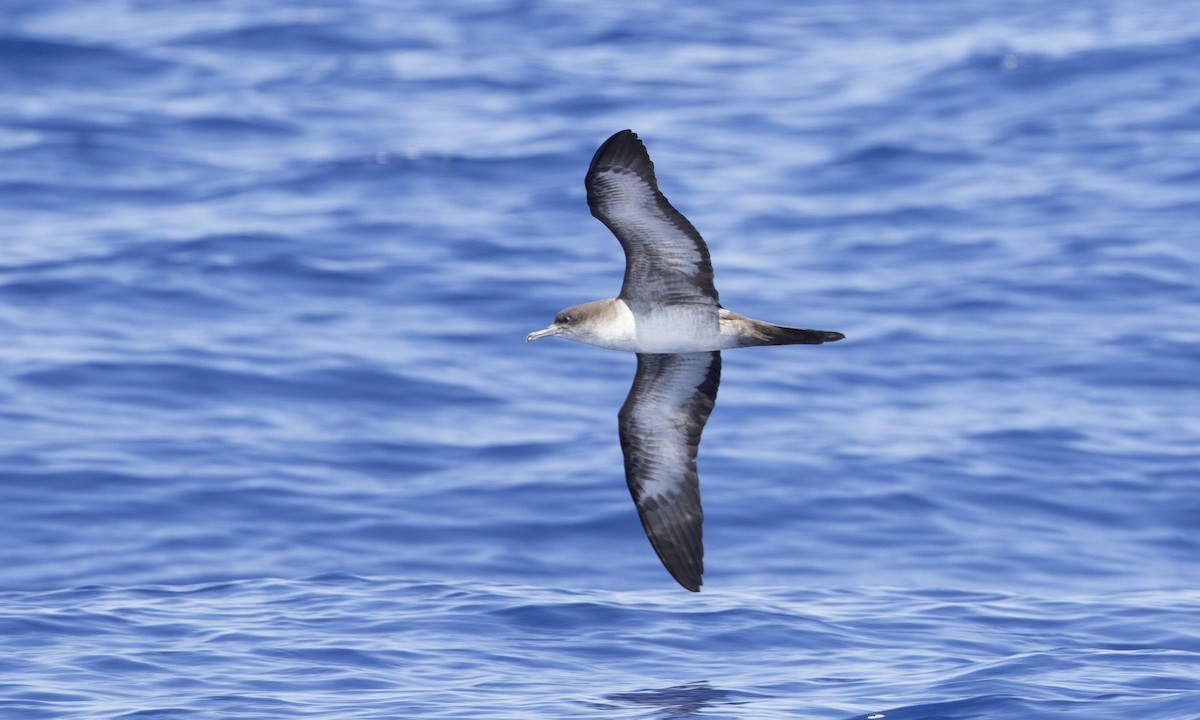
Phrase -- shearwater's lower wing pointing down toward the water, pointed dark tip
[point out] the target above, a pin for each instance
(661, 427)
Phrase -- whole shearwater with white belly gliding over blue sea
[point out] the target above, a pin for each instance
(669, 314)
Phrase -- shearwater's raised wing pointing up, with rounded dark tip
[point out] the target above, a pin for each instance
(667, 261)
